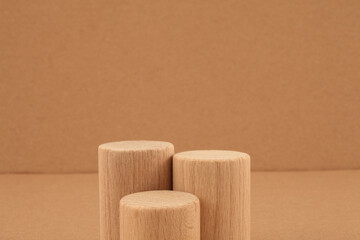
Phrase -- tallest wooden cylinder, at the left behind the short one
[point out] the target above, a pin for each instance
(127, 167)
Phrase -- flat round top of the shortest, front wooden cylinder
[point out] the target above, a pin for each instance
(159, 199)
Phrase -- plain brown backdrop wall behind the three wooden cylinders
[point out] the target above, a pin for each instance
(279, 80)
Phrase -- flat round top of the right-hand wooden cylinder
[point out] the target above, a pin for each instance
(211, 155)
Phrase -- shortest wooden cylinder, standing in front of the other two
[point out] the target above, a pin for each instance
(160, 215)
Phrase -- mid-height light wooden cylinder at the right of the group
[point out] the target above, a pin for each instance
(221, 180)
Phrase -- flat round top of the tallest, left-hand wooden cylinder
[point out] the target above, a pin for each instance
(135, 145)
